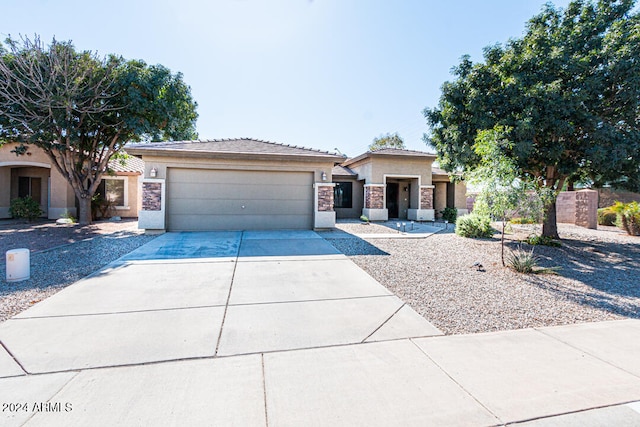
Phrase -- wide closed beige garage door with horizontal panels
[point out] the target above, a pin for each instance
(204, 199)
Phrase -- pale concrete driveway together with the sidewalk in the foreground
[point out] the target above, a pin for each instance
(279, 328)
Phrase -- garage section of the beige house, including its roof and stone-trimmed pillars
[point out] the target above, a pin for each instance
(234, 184)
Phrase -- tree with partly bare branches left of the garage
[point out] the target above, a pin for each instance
(82, 109)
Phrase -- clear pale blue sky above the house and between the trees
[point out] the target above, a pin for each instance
(323, 74)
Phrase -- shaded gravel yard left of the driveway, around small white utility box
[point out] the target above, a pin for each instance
(60, 255)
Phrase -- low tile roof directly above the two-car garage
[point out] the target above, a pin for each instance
(230, 146)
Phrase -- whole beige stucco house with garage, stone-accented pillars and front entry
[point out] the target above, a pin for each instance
(245, 184)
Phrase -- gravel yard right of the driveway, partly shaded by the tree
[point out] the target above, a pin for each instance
(599, 277)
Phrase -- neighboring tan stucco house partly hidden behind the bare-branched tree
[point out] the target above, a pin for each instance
(31, 174)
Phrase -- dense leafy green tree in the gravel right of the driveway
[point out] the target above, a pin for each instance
(568, 91)
